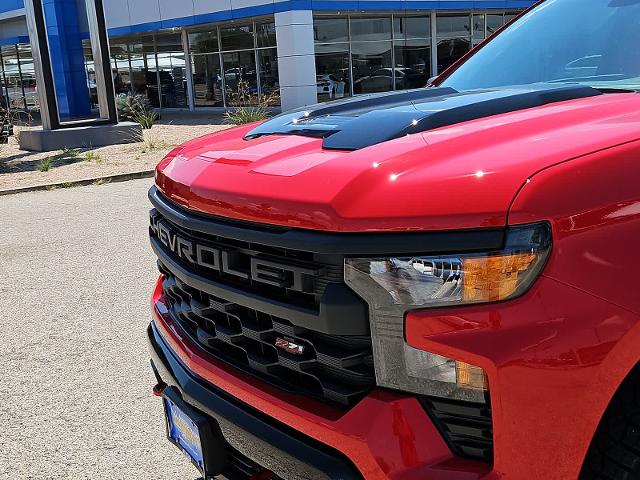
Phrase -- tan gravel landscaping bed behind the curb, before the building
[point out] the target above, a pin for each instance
(19, 168)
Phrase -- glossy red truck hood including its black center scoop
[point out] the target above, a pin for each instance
(455, 161)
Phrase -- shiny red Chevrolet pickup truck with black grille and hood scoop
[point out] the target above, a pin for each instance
(433, 284)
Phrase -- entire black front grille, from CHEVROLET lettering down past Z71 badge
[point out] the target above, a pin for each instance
(307, 334)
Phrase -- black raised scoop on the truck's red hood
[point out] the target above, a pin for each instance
(359, 122)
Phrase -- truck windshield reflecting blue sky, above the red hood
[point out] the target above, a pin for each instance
(591, 42)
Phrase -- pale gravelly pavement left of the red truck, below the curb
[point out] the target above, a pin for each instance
(75, 276)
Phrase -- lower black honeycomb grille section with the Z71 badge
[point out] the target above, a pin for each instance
(334, 368)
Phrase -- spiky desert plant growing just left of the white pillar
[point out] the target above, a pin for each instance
(247, 107)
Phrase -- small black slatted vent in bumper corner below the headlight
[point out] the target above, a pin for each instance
(466, 426)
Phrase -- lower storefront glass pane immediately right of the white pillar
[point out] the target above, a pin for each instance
(332, 71)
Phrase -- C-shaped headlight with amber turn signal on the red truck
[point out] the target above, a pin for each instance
(394, 285)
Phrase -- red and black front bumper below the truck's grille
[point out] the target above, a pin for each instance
(385, 436)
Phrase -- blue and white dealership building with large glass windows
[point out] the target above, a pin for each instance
(197, 54)
